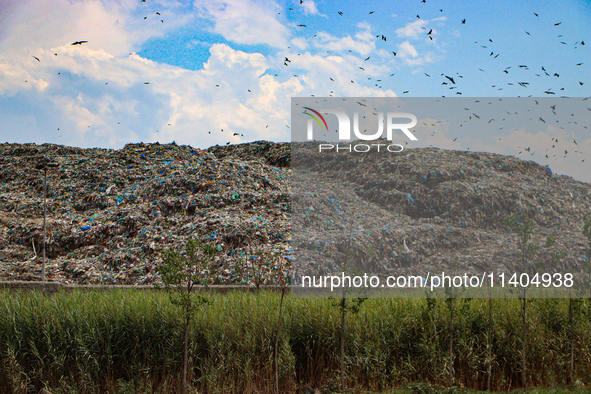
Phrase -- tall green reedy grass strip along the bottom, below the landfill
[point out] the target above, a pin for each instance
(131, 342)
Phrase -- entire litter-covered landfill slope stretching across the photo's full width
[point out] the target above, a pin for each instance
(112, 213)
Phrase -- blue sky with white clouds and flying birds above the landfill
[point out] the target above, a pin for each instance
(209, 72)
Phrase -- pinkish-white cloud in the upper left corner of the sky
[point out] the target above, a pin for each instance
(111, 28)
